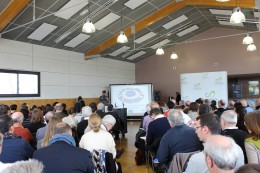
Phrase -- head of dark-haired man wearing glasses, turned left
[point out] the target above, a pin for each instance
(206, 125)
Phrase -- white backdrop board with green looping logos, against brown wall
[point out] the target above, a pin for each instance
(206, 85)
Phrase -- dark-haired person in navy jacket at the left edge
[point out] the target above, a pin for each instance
(14, 148)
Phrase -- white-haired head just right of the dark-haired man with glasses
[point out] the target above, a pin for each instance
(228, 119)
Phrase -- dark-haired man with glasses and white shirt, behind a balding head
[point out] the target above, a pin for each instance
(207, 125)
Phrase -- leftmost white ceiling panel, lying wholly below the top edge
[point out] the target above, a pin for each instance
(42, 31)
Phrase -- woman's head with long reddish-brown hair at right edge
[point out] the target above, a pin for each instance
(252, 122)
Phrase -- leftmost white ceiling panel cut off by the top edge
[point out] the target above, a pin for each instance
(71, 8)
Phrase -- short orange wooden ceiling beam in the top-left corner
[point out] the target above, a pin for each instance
(11, 11)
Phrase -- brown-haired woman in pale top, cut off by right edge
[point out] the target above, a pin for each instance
(252, 143)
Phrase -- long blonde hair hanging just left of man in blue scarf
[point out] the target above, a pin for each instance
(49, 132)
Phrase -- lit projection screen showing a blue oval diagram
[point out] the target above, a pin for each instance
(134, 97)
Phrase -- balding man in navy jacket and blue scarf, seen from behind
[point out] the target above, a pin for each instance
(62, 155)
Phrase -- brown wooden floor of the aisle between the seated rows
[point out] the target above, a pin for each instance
(127, 159)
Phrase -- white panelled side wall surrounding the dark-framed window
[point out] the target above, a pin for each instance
(64, 74)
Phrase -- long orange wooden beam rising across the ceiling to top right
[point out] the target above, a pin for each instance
(163, 12)
